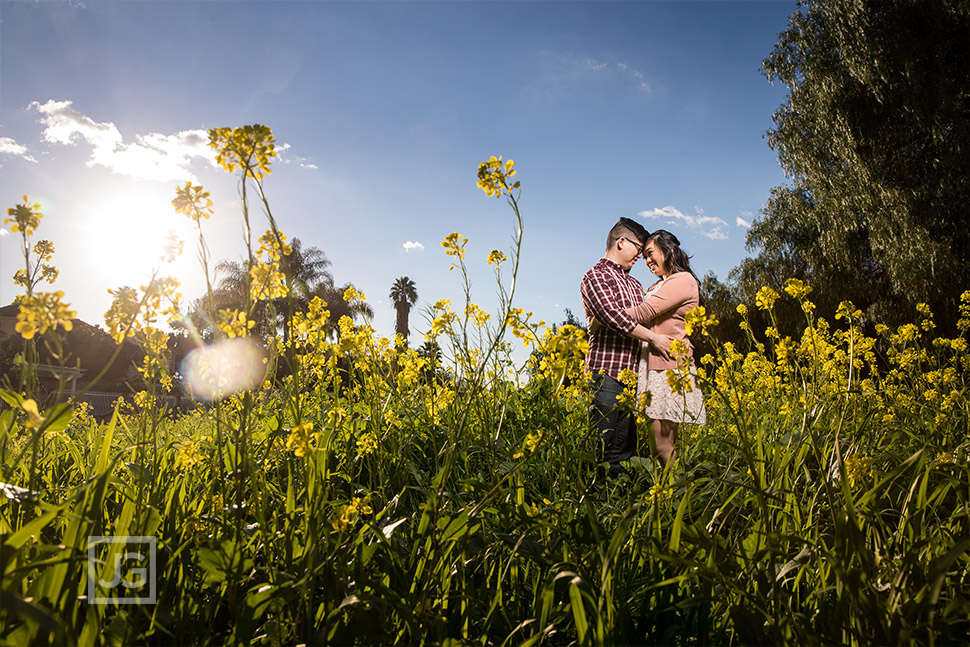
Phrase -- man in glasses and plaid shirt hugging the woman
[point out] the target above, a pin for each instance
(608, 290)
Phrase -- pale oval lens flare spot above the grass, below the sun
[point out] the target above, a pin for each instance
(223, 368)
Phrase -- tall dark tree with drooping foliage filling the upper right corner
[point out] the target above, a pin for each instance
(875, 136)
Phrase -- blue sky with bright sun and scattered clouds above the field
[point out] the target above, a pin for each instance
(382, 111)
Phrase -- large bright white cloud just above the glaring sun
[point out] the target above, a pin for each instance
(153, 156)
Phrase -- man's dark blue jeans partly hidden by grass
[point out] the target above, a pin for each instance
(617, 427)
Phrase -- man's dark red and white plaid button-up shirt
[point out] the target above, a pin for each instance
(607, 292)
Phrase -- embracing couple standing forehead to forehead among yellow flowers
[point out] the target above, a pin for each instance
(632, 328)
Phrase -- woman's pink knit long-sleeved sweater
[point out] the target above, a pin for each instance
(664, 310)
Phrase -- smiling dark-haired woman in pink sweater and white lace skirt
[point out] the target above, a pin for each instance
(663, 309)
